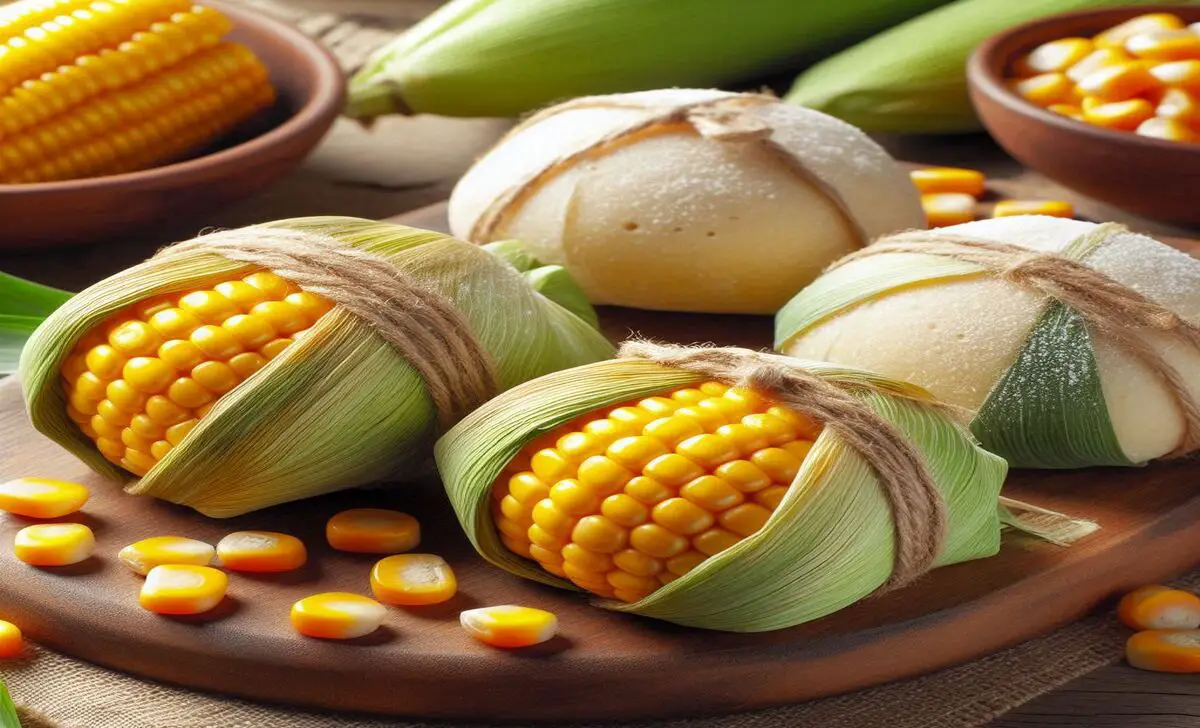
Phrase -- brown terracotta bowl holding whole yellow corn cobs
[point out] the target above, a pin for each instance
(118, 115)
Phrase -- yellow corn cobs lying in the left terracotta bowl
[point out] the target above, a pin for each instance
(107, 87)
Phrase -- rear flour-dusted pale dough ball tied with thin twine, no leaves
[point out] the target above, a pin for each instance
(686, 200)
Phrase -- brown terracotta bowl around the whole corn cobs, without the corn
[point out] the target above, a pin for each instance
(311, 89)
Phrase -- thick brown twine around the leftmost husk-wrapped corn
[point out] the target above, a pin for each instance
(419, 323)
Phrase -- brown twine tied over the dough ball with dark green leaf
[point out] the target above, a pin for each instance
(1107, 306)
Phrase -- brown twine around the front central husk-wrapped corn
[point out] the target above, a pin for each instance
(919, 510)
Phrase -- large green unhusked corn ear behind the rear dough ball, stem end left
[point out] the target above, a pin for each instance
(503, 58)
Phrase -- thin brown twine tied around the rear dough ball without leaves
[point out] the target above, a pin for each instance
(719, 119)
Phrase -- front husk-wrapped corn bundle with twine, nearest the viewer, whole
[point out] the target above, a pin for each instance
(724, 489)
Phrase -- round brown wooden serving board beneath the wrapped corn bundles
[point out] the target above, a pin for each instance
(603, 666)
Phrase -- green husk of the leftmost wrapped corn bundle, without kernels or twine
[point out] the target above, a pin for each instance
(340, 407)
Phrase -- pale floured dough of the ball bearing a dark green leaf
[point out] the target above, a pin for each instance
(957, 339)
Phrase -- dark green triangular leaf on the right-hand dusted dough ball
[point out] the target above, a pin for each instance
(1036, 420)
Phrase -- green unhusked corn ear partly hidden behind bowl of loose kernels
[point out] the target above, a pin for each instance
(913, 79)
